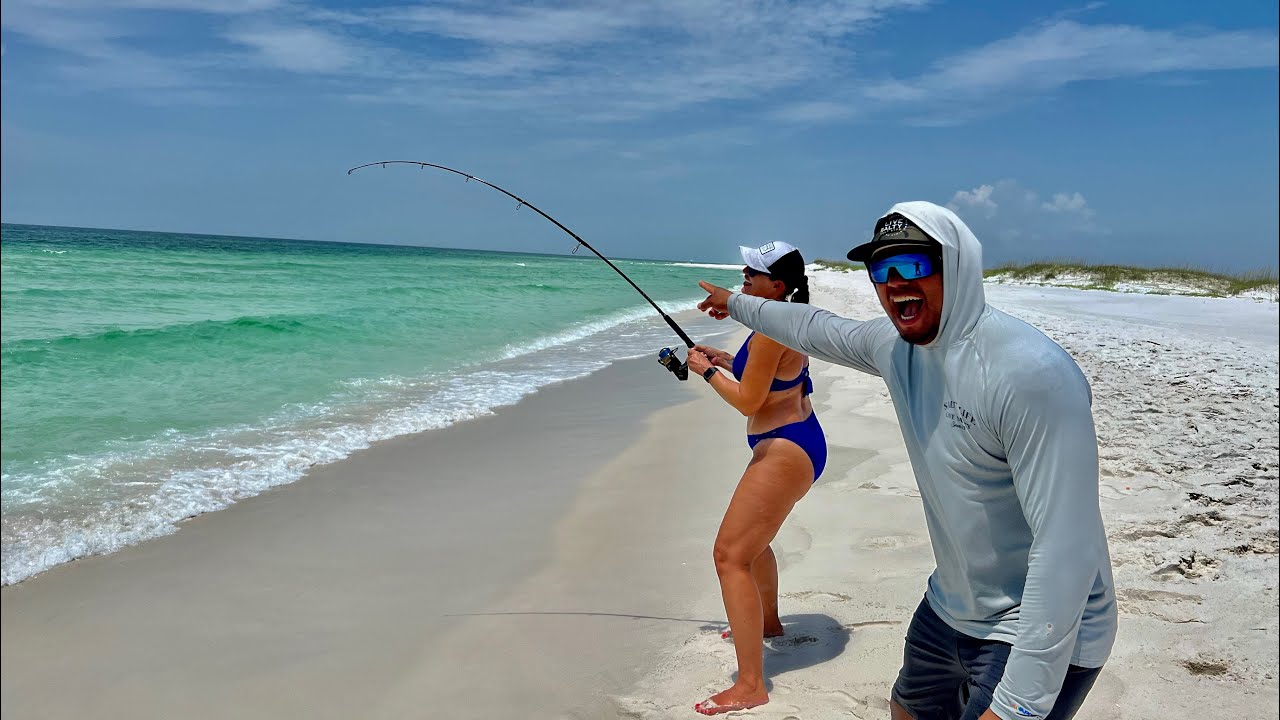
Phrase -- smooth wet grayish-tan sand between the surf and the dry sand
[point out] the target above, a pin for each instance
(336, 584)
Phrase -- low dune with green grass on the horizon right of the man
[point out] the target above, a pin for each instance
(1169, 281)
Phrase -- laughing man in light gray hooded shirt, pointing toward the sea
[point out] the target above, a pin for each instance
(1021, 613)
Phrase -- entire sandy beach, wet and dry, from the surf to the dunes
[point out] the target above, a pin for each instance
(555, 560)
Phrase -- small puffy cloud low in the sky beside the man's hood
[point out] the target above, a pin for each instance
(1016, 224)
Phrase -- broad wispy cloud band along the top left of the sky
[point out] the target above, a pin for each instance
(591, 61)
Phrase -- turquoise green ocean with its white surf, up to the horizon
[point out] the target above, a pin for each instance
(152, 377)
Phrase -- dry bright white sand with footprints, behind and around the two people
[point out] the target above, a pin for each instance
(1187, 416)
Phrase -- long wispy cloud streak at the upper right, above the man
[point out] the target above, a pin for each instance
(1052, 56)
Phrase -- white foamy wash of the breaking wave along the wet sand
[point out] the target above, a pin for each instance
(195, 475)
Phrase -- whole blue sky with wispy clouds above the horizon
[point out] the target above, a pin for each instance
(1136, 133)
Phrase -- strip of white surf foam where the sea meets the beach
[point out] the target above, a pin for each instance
(234, 468)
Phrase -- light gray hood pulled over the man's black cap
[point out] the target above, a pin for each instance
(963, 298)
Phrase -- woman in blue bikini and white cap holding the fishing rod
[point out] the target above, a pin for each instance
(789, 453)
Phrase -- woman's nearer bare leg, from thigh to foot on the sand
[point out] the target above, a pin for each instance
(779, 476)
